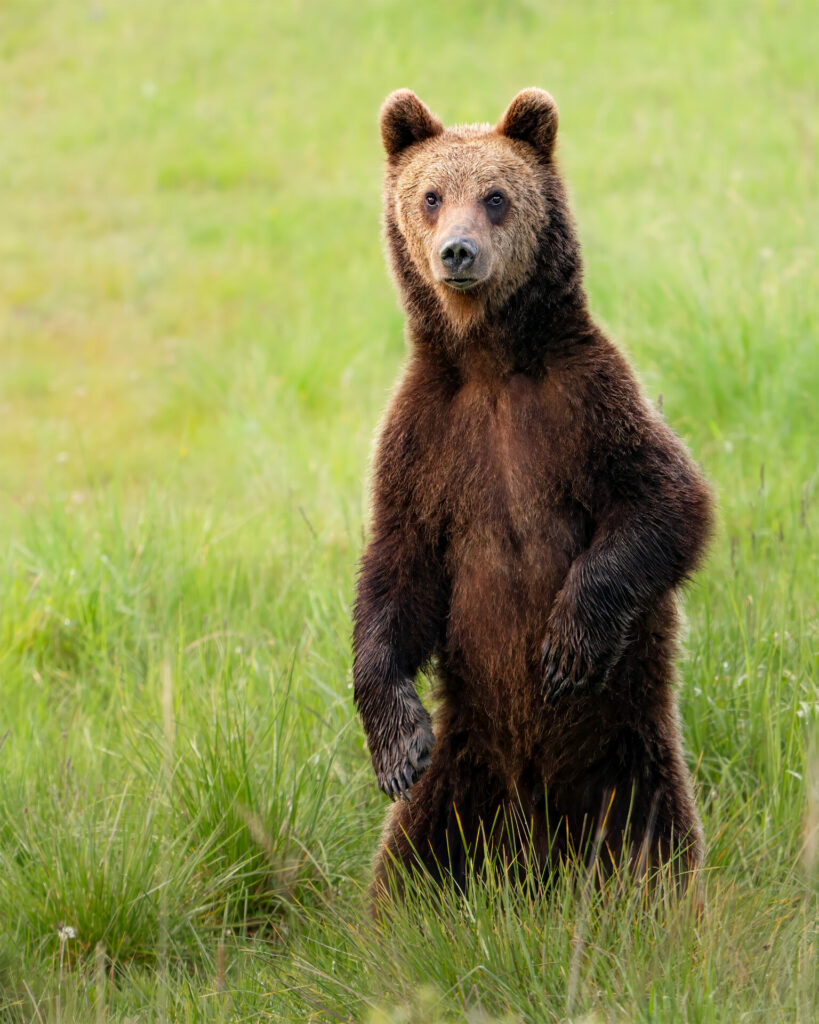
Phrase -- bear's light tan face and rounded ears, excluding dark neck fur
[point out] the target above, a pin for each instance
(469, 202)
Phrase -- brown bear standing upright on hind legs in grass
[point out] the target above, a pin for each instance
(533, 517)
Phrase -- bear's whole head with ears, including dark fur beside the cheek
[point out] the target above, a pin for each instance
(477, 214)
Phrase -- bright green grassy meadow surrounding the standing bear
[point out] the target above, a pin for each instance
(197, 338)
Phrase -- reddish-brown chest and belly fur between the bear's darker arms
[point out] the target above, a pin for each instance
(513, 533)
